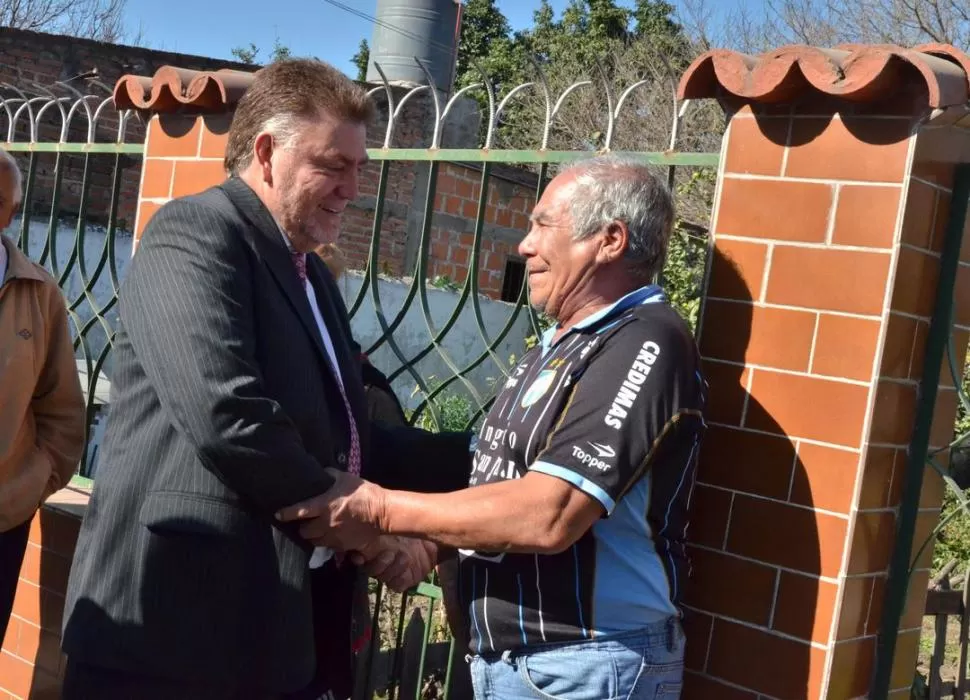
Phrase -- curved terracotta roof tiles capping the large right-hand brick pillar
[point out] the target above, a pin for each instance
(859, 73)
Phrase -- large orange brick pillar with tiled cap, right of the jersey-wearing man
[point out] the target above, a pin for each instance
(827, 225)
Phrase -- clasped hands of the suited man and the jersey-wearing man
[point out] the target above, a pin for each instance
(348, 518)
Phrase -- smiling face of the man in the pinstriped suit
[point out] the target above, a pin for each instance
(309, 181)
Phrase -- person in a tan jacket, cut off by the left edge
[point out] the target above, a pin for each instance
(41, 405)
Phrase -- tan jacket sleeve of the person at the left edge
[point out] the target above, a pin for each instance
(58, 404)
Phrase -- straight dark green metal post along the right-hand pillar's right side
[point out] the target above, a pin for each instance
(940, 326)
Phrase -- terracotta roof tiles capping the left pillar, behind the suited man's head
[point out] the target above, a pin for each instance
(172, 89)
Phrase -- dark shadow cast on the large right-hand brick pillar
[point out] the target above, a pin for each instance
(753, 535)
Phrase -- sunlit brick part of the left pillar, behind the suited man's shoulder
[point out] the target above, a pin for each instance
(183, 155)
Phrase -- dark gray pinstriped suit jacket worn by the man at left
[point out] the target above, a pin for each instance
(223, 410)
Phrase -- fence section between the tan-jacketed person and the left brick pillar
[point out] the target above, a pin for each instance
(79, 157)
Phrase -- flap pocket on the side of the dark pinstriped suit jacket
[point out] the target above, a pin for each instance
(188, 513)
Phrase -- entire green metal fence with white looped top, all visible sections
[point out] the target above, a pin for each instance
(82, 160)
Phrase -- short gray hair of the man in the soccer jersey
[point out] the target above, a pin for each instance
(616, 188)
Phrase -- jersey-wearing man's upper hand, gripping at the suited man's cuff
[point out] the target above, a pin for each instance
(346, 517)
